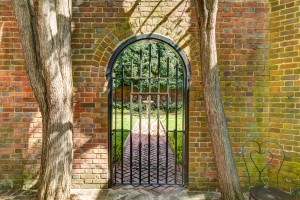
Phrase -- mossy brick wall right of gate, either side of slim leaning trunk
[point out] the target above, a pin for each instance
(242, 43)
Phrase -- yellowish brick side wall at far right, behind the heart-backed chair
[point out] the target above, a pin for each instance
(285, 85)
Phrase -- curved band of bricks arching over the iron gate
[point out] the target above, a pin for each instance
(119, 34)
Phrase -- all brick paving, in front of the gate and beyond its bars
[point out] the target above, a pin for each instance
(129, 192)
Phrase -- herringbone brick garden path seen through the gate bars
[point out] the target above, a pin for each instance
(153, 170)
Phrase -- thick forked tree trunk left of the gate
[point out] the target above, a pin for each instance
(46, 42)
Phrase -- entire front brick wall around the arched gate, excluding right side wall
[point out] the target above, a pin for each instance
(98, 28)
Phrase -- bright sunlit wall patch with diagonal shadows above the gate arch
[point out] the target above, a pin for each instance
(148, 17)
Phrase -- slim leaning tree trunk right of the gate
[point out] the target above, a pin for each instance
(206, 11)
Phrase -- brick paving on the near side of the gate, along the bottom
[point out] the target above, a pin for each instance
(121, 193)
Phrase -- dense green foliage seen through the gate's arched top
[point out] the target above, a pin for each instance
(138, 57)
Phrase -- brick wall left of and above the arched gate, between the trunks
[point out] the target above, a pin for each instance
(99, 27)
